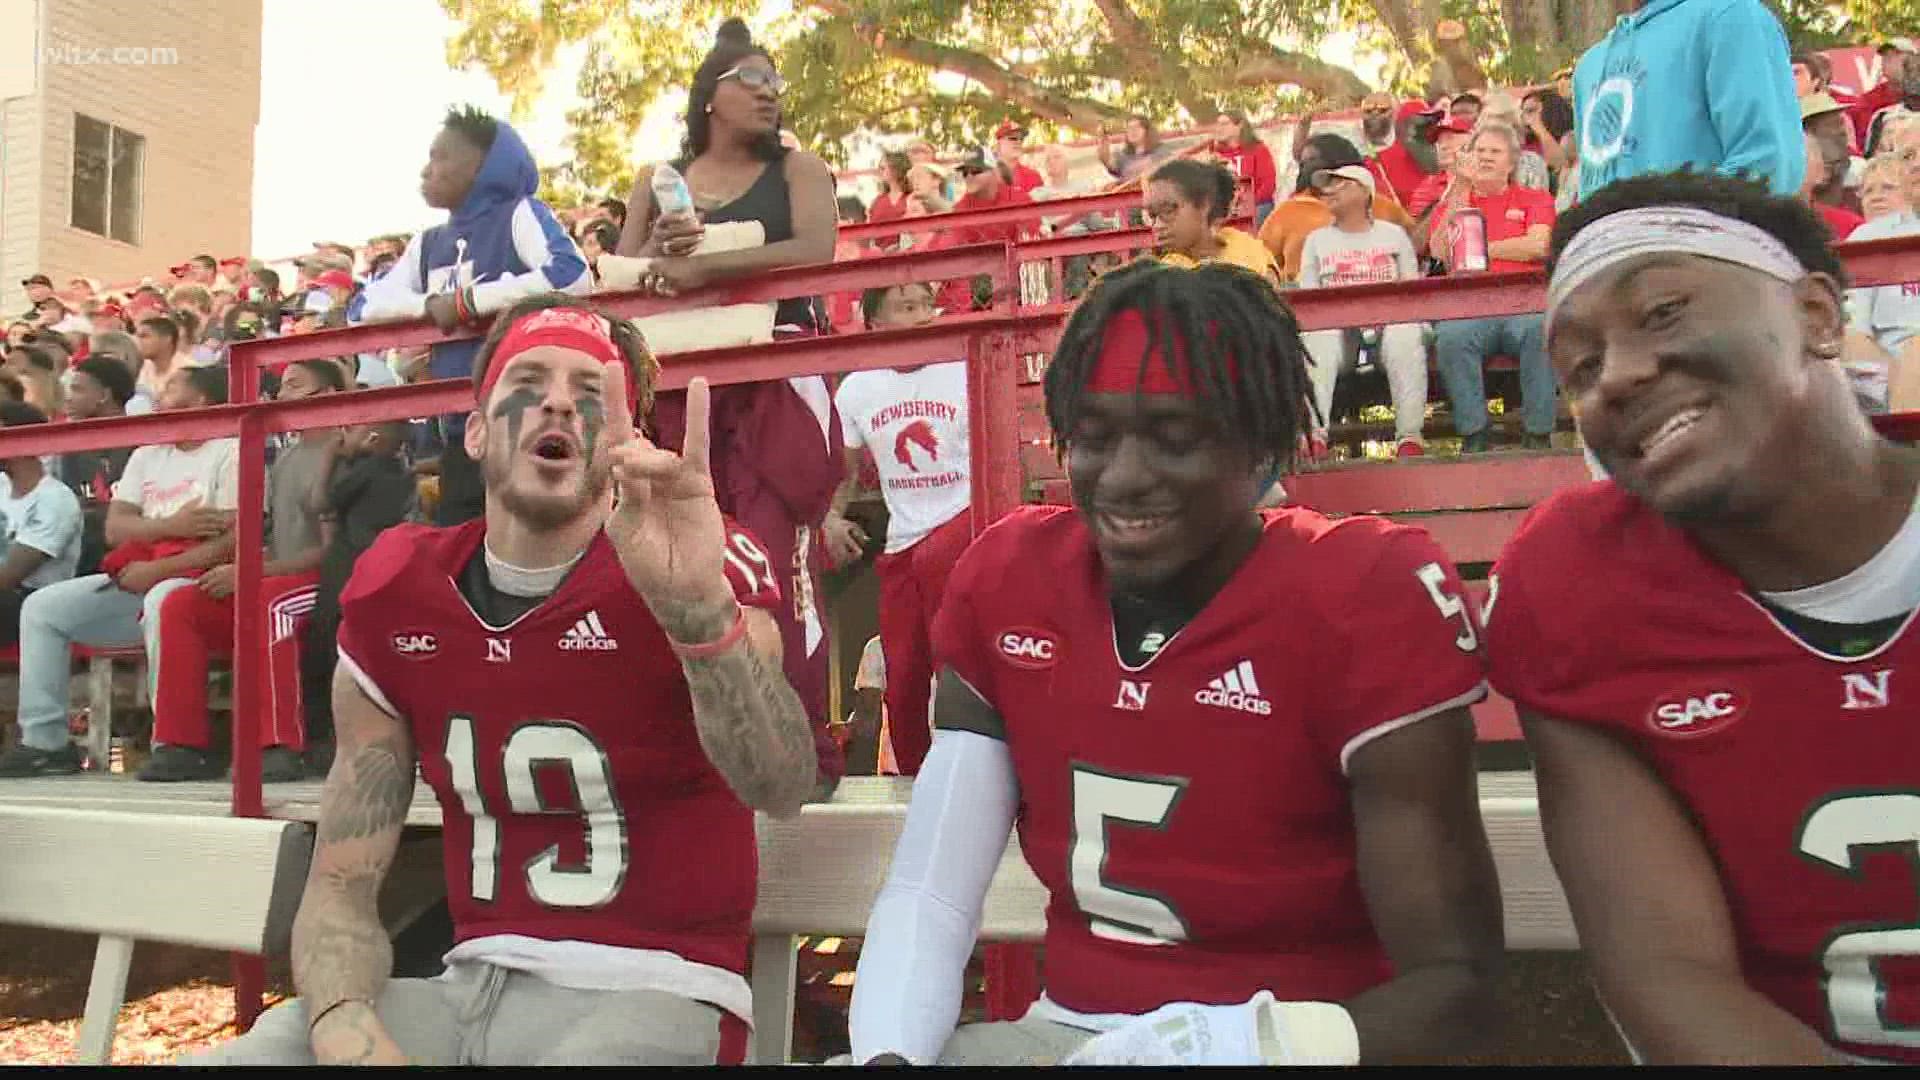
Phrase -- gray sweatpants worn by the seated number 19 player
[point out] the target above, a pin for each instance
(489, 1016)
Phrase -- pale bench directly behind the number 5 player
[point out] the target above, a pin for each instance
(823, 871)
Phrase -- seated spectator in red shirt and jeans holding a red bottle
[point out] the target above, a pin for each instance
(1518, 226)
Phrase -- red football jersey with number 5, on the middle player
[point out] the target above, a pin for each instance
(1191, 816)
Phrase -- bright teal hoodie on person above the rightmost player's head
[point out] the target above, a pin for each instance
(1700, 84)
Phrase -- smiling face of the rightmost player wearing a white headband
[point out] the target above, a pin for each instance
(1694, 380)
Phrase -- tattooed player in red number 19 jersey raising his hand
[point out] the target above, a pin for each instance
(594, 691)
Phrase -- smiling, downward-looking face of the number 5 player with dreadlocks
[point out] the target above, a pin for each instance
(1159, 485)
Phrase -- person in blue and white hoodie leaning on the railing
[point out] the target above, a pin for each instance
(498, 247)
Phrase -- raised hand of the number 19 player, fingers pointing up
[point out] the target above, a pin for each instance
(667, 526)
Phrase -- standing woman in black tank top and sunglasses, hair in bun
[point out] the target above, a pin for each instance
(738, 172)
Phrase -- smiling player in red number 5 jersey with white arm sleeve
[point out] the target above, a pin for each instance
(1236, 743)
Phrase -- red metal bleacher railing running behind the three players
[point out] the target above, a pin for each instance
(992, 345)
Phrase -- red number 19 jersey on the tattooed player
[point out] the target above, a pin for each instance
(562, 749)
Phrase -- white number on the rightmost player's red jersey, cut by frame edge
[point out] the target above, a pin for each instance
(1833, 833)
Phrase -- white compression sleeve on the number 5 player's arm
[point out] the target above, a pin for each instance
(921, 935)
